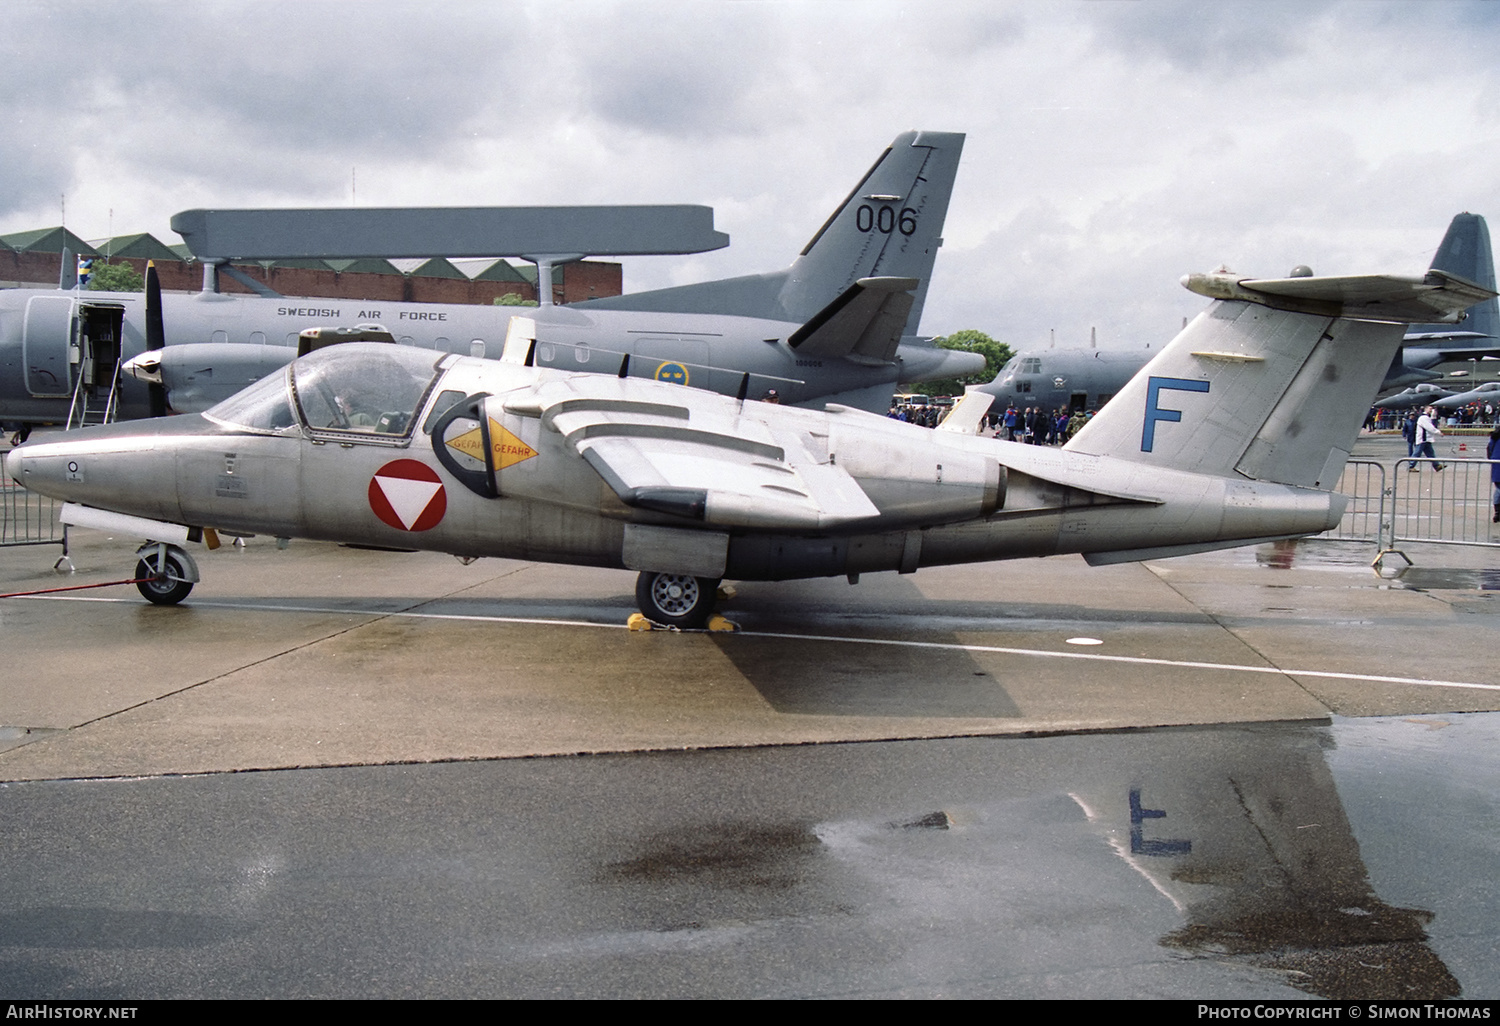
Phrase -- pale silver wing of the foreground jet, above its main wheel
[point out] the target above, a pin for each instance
(721, 472)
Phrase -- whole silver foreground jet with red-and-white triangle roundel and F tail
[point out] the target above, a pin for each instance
(1234, 434)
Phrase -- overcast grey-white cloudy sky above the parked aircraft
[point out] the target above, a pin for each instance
(1112, 146)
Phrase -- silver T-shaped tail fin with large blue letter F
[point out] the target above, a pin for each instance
(1274, 380)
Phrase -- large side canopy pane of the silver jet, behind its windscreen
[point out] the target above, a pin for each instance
(370, 392)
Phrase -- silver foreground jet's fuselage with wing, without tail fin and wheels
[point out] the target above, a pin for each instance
(496, 460)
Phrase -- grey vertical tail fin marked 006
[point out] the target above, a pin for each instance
(890, 226)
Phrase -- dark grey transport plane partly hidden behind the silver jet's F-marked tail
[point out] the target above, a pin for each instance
(1076, 379)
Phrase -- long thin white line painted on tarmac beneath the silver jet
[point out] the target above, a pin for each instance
(956, 647)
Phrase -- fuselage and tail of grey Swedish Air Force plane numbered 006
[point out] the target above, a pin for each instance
(829, 328)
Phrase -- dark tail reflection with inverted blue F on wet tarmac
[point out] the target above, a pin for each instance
(1261, 860)
